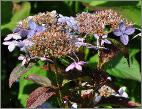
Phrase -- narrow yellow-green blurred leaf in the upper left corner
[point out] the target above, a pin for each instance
(19, 15)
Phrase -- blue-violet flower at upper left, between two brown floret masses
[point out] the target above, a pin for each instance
(34, 28)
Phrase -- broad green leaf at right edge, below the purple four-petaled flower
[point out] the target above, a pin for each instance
(118, 67)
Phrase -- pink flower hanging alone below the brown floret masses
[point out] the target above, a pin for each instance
(76, 65)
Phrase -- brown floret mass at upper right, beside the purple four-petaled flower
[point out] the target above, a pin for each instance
(96, 22)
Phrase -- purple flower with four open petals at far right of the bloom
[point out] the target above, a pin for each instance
(123, 32)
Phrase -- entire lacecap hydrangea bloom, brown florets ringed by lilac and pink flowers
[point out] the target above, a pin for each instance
(51, 35)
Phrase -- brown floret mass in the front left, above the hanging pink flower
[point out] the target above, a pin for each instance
(52, 43)
